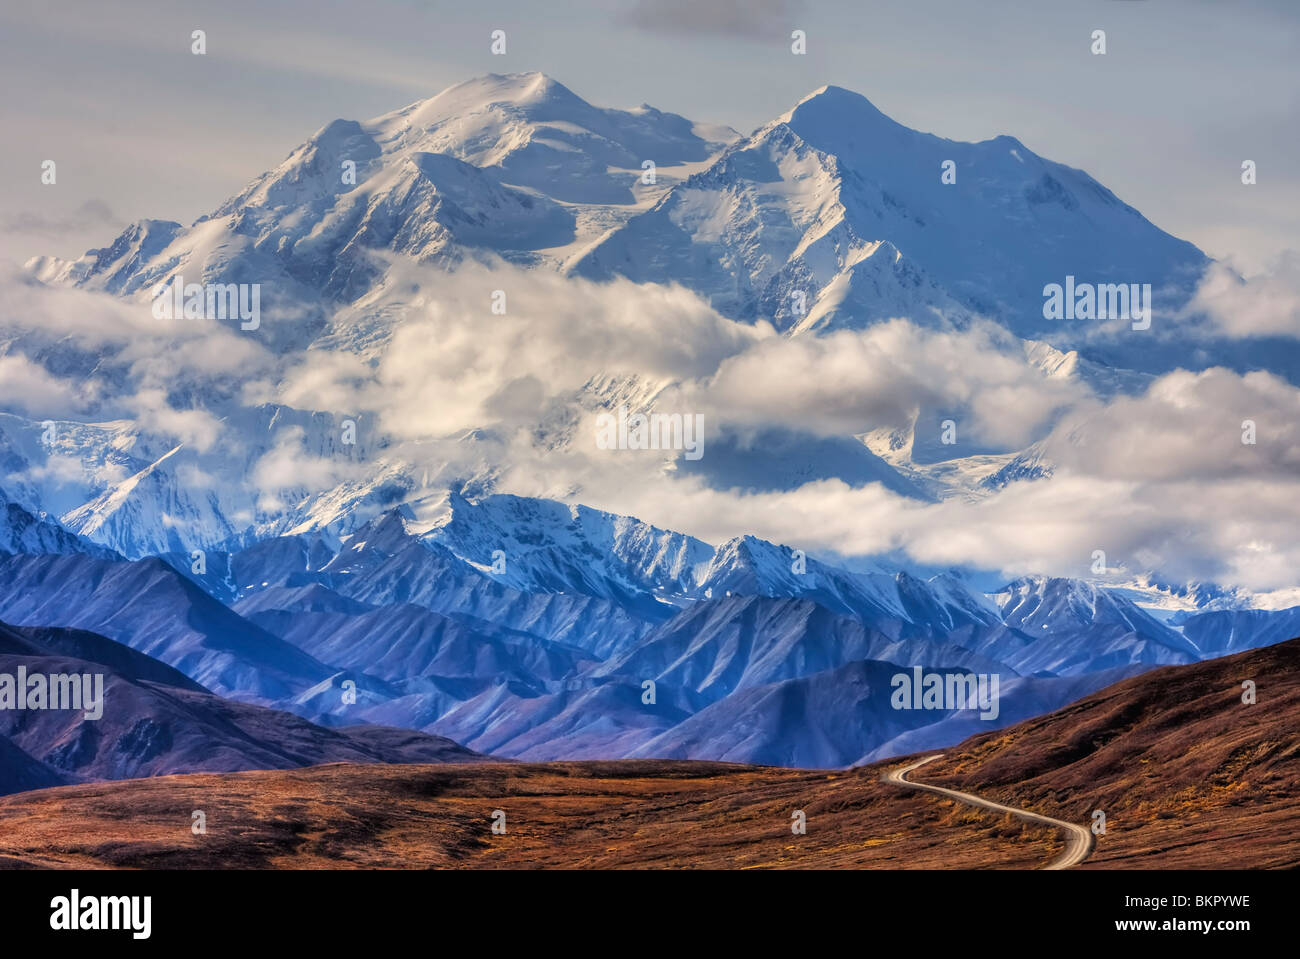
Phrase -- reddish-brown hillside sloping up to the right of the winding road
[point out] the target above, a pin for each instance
(1188, 774)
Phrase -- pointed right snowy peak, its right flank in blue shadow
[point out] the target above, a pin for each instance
(838, 202)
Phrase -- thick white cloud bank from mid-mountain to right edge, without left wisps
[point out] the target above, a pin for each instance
(1159, 481)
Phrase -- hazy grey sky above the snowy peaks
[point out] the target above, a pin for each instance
(141, 128)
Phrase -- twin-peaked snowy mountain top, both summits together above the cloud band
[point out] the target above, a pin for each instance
(830, 216)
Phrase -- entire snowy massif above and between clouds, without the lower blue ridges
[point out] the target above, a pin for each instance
(831, 201)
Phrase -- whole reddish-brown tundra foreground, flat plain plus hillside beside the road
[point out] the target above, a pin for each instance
(1190, 776)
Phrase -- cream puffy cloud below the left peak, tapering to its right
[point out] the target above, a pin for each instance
(452, 364)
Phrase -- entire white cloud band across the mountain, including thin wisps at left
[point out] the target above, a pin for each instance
(1160, 481)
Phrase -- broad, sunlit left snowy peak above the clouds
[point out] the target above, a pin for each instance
(515, 167)
